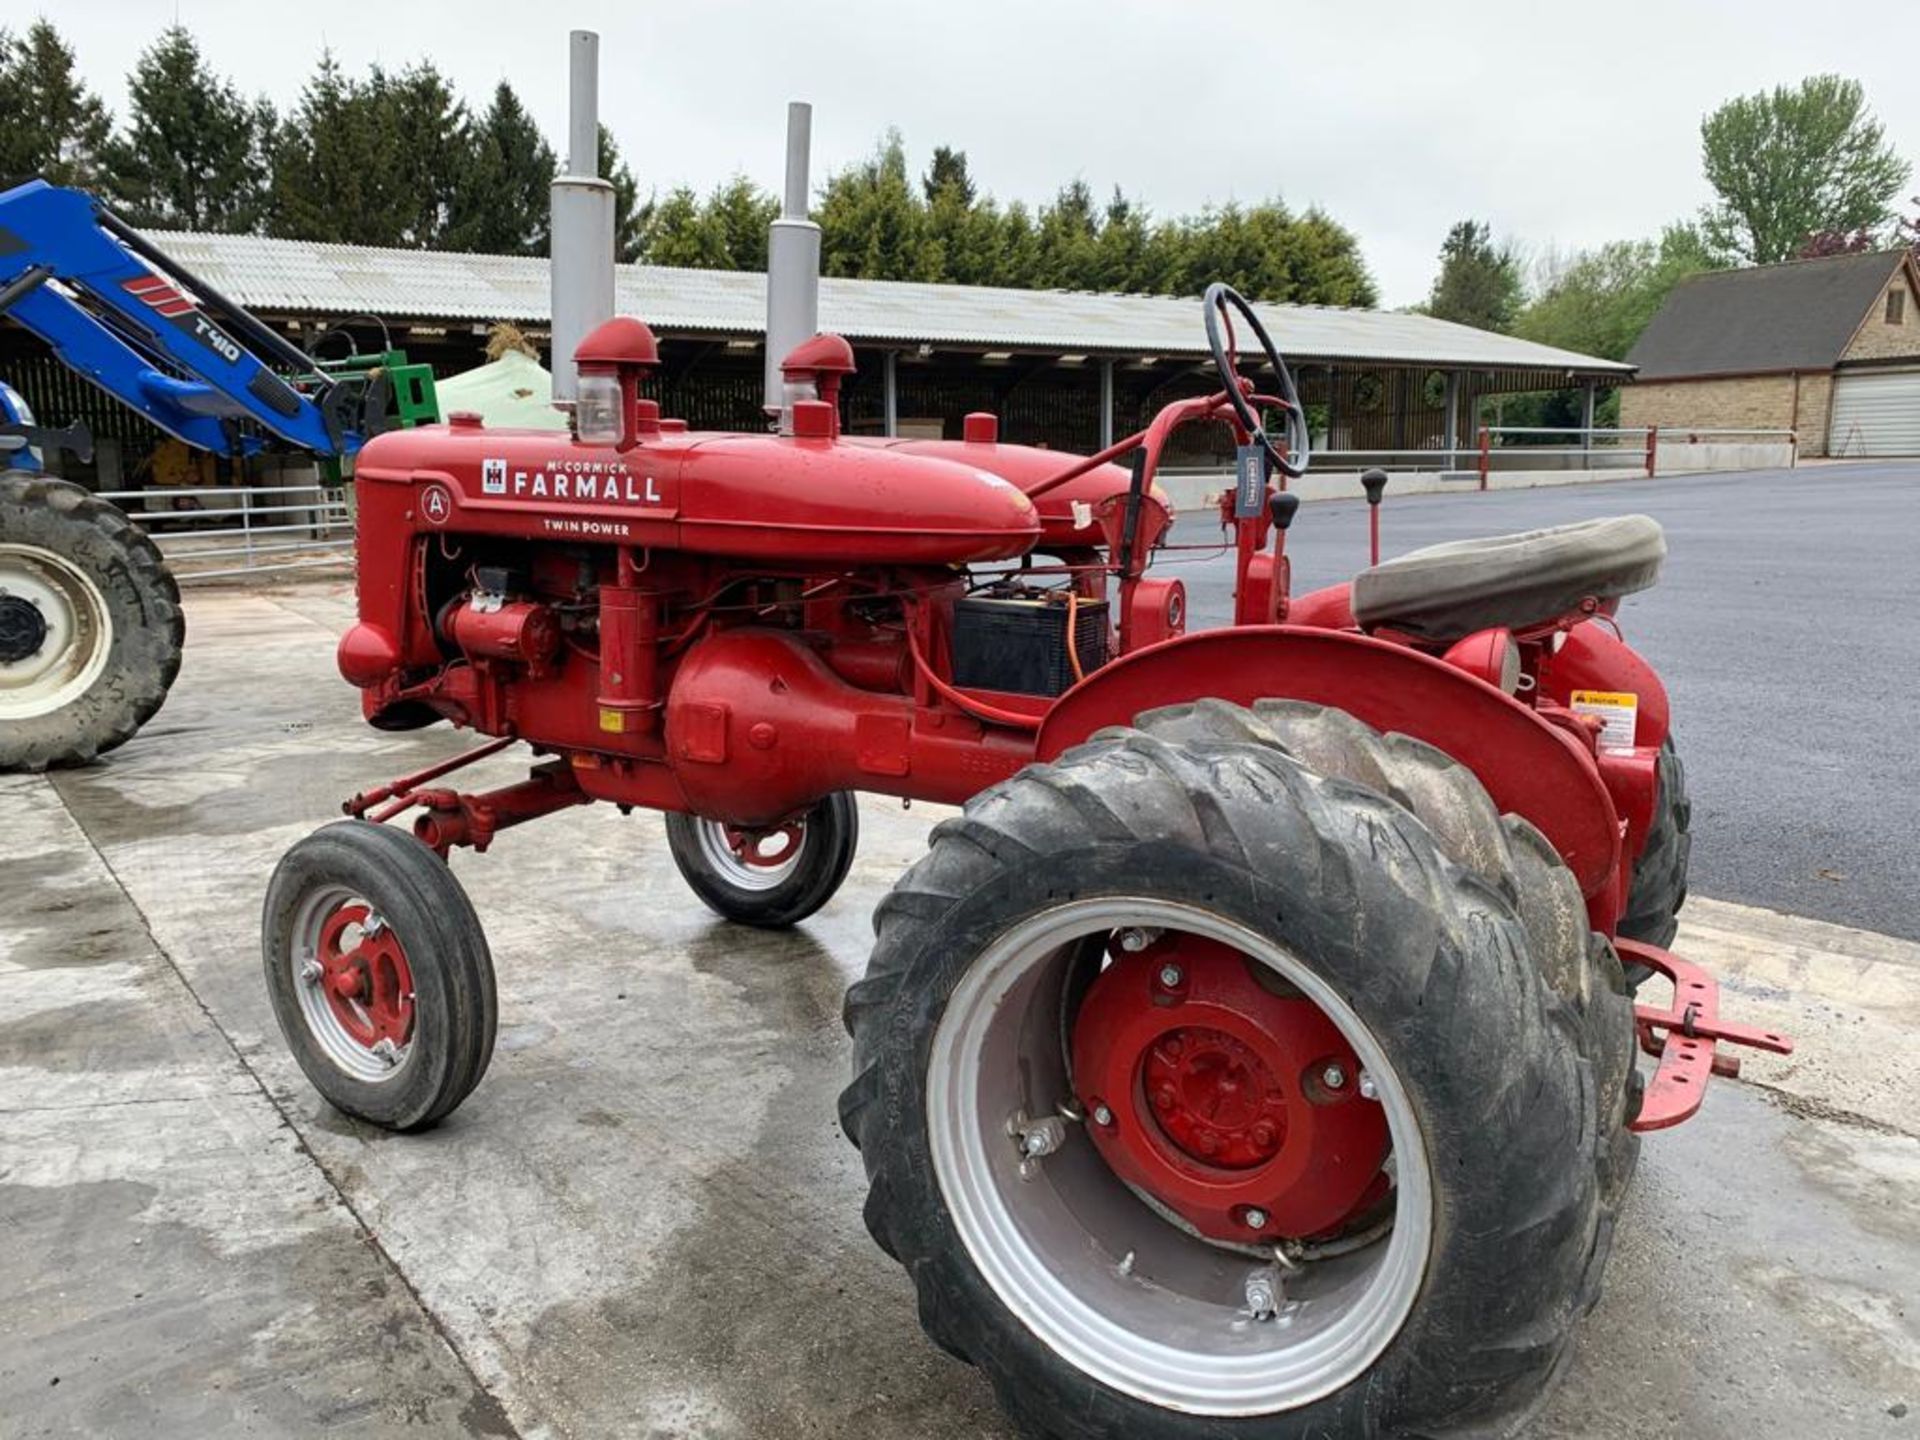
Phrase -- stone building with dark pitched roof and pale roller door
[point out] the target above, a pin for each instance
(1827, 348)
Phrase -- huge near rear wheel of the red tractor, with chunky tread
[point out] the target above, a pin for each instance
(1209, 1097)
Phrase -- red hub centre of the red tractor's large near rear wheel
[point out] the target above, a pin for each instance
(1228, 1097)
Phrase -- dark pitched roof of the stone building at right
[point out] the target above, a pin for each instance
(1796, 316)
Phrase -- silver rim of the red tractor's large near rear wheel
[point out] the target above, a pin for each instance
(1168, 1326)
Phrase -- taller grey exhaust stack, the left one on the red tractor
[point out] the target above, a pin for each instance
(581, 272)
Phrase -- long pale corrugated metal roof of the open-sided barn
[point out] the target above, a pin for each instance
(329, 279)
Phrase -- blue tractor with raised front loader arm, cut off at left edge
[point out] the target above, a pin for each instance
(91, 623)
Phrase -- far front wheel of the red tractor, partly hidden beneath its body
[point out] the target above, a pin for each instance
(771, 878)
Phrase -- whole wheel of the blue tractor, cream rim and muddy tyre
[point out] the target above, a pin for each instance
(91, 625)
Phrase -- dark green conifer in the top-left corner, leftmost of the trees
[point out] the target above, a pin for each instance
(51, 126)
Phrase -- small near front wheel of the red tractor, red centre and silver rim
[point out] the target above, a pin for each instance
(379, 974)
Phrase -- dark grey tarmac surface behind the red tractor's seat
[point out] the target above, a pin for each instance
(1788, 633)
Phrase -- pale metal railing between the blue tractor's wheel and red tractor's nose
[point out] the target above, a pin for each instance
(218, 533)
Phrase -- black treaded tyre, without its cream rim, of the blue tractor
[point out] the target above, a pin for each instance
(143, 606)
